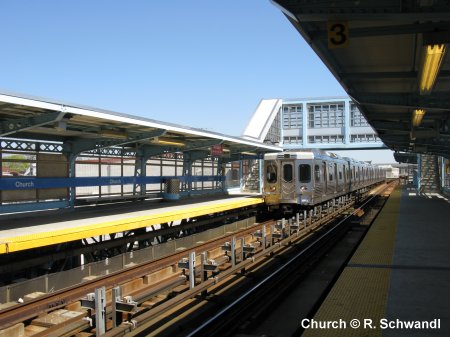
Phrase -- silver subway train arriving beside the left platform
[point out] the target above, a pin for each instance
(304, 179)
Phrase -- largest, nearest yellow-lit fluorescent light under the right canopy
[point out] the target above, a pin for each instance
(433, 55)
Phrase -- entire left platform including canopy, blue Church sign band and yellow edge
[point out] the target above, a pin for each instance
(70, 158)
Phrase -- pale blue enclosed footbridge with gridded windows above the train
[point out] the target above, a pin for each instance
(329, 123)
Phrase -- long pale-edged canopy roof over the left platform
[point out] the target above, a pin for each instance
(80, 128)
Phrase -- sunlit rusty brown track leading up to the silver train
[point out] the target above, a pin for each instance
(150, 298)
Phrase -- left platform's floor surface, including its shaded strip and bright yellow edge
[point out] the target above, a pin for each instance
(30, 231)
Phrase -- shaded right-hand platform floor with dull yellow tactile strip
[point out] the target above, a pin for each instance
(398, 276)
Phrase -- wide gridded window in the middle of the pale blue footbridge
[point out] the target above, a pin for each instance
(326, 115)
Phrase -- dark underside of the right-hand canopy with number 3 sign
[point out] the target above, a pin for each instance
(392, 59)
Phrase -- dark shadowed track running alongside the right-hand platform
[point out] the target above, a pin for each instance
(254, 302)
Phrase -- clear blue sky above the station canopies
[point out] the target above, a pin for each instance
(200, 63)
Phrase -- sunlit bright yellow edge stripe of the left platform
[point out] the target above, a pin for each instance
(14, 244)
